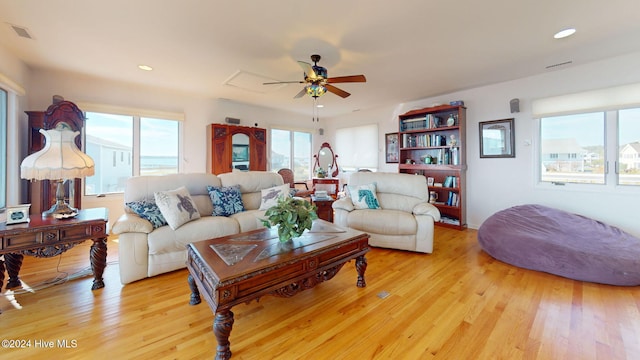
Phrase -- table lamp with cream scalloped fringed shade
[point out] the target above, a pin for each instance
(59, 160)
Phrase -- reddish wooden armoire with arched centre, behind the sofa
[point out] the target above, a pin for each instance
(222, 147)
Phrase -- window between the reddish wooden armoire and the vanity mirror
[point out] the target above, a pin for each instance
(292, 150)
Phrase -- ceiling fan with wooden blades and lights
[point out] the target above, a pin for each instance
(317, 82)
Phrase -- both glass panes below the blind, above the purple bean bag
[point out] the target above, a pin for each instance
(575, 148)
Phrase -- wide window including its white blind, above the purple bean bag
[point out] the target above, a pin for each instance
(601, 126)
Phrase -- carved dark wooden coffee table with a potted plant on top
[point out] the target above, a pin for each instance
(240, 268)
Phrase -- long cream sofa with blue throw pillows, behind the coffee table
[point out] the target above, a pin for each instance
(144, 251)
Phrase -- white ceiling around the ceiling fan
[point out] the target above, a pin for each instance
(408, 49)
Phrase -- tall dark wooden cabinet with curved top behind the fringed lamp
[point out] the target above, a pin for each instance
(42, 193)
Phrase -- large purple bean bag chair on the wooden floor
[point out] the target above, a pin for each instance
(545, 239)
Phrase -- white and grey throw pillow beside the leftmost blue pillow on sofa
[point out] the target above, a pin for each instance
(176, 206)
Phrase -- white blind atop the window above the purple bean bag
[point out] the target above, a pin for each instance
(618, 97)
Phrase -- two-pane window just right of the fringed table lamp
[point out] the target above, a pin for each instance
(114, 140)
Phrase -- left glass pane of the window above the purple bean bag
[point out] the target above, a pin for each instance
(572, 148)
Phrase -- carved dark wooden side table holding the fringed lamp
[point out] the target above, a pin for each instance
(48, 237)
